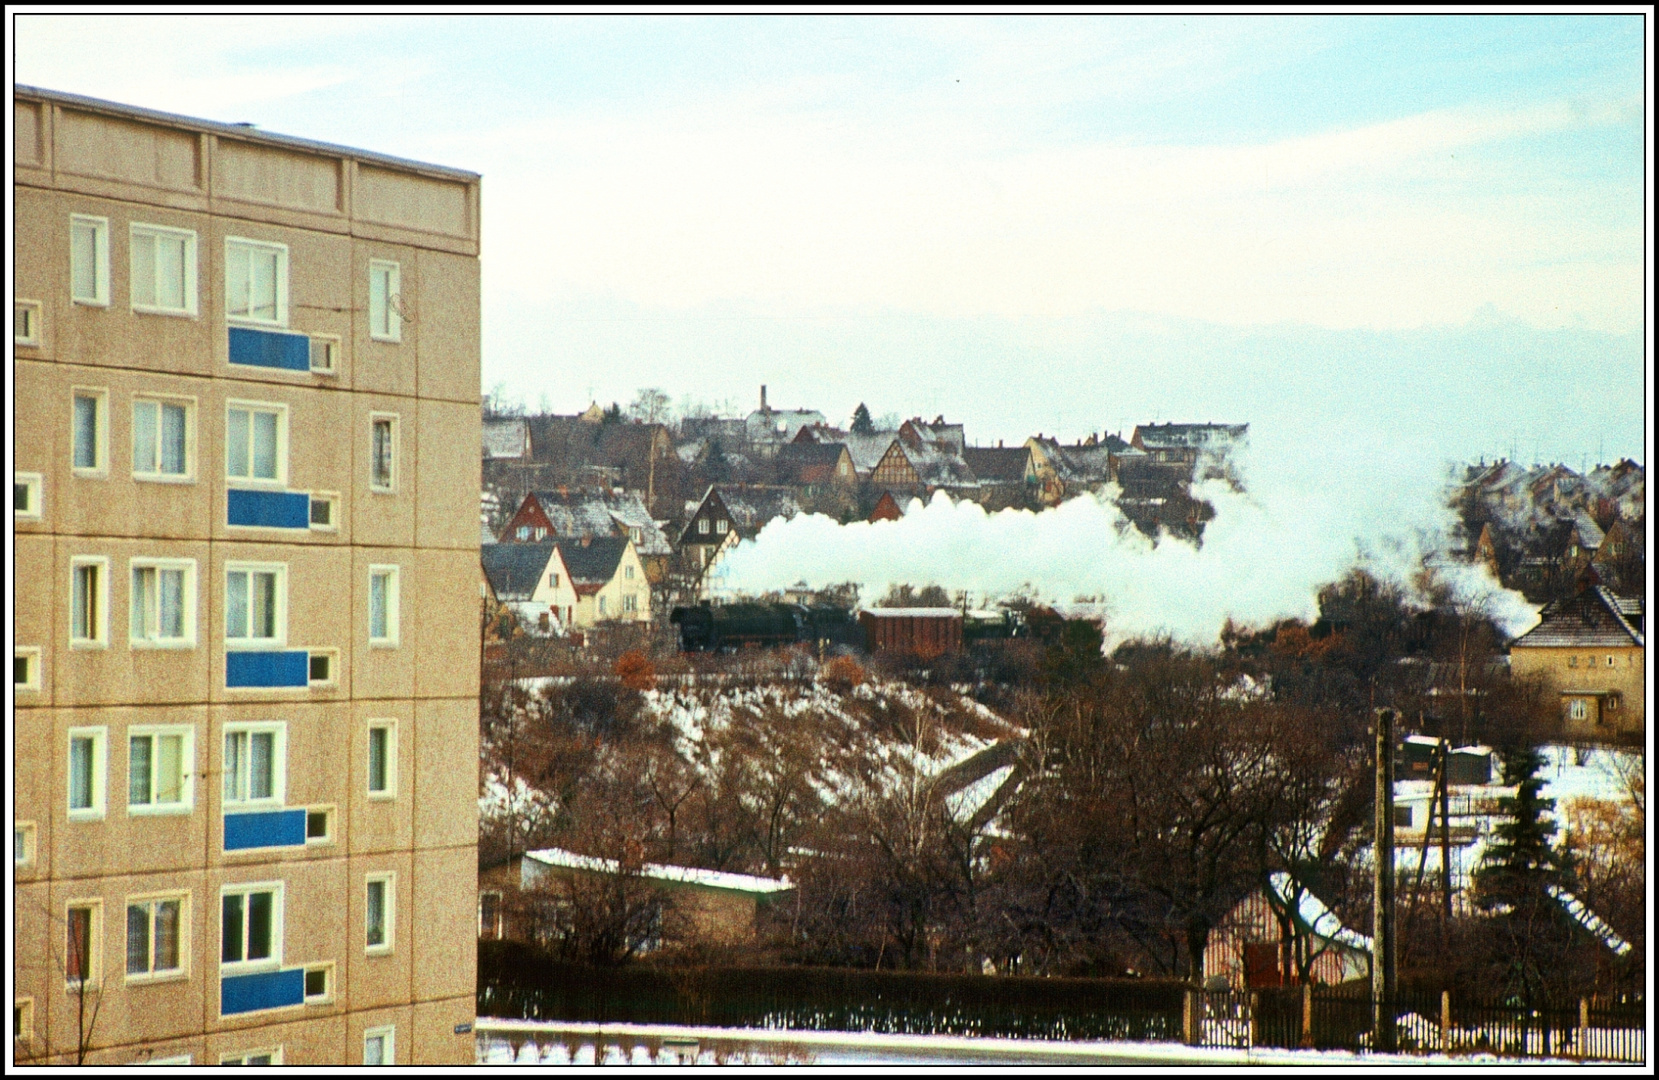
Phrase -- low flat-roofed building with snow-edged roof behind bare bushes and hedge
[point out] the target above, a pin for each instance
(703, 907)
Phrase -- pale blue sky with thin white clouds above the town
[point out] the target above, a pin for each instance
(1386, 230)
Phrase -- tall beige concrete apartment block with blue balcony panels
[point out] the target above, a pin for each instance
(246, 673)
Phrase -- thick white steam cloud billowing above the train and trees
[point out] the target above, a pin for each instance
(1311, 510)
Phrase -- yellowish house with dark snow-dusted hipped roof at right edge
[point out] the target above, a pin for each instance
(1590, 653)
